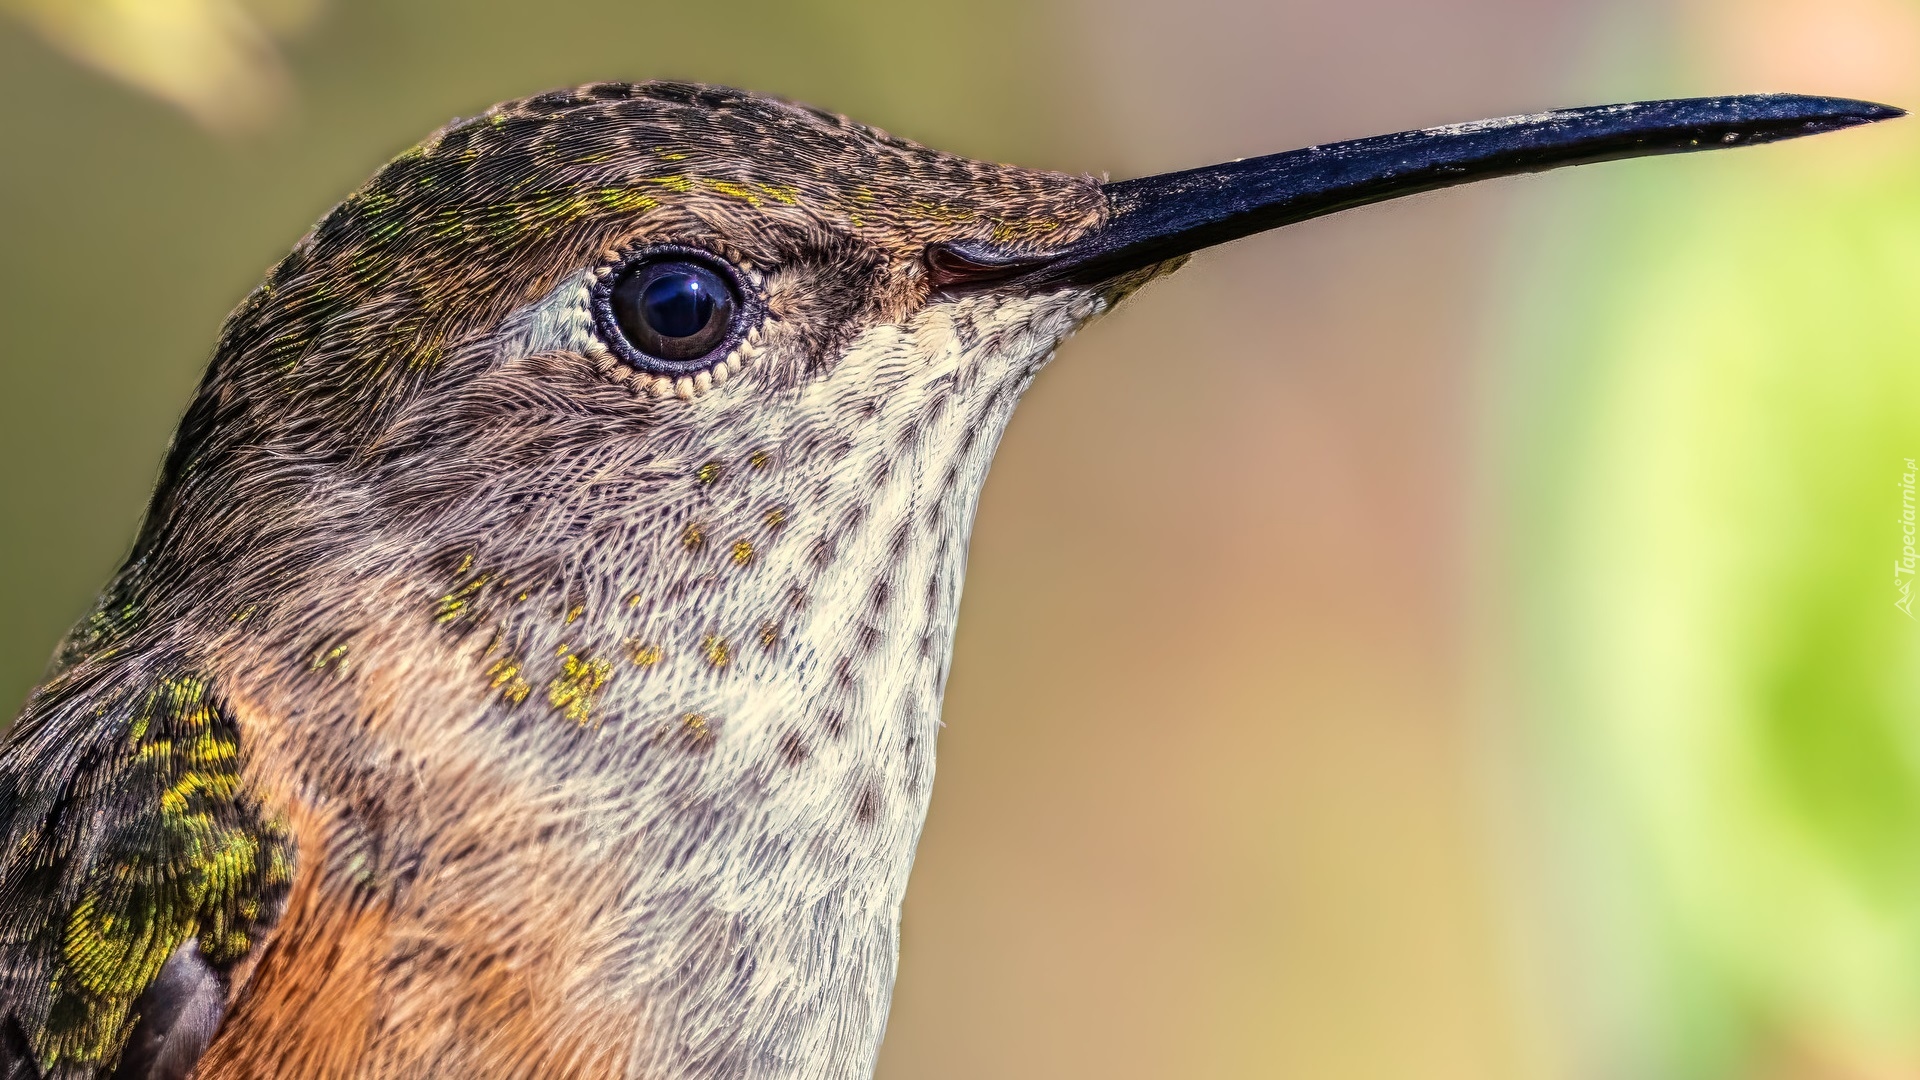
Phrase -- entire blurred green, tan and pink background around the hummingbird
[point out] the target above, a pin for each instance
(1454, 639)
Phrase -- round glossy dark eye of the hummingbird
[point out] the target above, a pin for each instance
(671, 310)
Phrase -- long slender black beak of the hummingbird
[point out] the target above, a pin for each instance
(1159, 218)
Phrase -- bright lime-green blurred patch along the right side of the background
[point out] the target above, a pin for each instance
(1712, 512)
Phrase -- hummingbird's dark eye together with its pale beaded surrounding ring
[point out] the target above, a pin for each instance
(673, 310)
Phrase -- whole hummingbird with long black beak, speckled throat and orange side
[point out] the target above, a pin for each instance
(531, 660)
